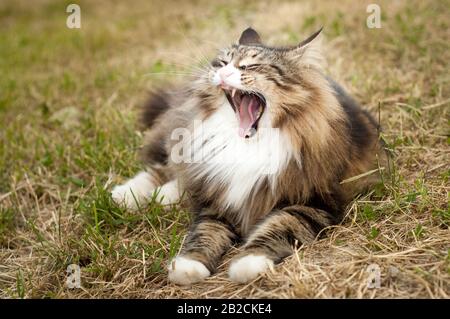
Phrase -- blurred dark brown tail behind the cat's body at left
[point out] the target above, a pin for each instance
(156, 105)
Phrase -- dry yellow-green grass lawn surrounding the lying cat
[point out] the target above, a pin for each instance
(68, 109)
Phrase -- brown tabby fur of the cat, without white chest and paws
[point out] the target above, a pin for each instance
(332, 137)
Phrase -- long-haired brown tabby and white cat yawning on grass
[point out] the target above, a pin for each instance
(260, 148)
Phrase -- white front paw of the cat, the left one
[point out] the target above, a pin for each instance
(185, 271)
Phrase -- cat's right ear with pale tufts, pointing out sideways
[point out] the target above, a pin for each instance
(309, 51)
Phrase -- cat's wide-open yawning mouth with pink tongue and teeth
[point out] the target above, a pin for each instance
(249, 107)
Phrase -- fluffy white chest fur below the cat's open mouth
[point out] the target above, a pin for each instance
(222, 156)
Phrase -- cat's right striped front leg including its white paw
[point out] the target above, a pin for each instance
(274, 239)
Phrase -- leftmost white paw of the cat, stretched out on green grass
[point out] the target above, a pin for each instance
(135, 192)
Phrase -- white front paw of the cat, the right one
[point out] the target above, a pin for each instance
(248, 268)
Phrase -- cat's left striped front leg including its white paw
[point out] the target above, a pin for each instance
(208, 239)
